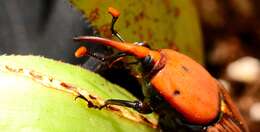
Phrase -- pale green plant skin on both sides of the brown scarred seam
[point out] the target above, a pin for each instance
(29, 106)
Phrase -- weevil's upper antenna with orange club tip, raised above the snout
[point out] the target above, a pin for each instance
(115, 14)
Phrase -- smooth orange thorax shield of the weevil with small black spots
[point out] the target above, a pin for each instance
(188, 88)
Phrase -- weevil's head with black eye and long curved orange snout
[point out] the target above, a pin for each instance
(149, 58)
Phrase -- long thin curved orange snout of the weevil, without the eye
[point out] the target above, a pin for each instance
(136, 50)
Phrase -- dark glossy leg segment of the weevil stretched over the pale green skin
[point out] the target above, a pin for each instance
(139, 106)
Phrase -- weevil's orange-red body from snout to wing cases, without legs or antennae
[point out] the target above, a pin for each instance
(186, 86)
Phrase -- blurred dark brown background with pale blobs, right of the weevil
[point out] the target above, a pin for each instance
(231, 31)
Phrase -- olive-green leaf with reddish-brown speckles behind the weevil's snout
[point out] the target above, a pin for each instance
(161, 23)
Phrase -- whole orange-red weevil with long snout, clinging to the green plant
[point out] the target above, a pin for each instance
(184, 95)
